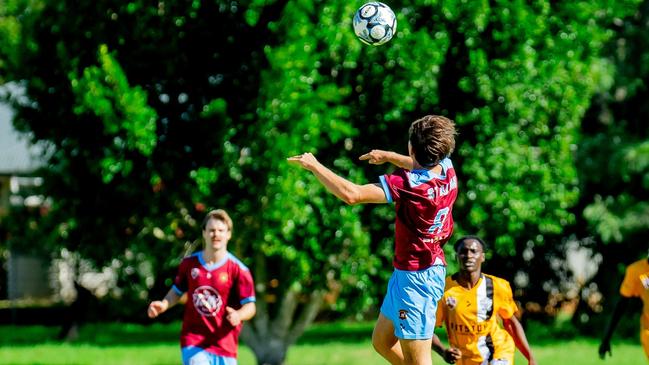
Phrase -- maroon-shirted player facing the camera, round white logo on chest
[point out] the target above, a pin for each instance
(220, 294)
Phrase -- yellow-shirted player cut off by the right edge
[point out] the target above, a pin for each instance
(635, 284)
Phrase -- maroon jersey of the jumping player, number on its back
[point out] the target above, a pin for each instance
(424, 222)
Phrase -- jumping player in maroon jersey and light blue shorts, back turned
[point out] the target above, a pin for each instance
(423, 189)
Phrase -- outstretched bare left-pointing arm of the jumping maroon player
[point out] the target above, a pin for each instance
(342, 188)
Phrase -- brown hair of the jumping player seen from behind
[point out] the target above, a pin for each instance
(432, 139)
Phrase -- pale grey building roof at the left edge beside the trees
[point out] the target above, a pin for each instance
(17, 155)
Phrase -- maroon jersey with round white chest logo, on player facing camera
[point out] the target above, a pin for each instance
(210, 288)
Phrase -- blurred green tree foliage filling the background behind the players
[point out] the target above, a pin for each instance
(153, 113)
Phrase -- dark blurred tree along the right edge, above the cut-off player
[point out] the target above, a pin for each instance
(613, 163)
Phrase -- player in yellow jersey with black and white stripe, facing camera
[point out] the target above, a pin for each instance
(470, 308)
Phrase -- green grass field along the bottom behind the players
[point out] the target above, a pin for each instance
(326, 344)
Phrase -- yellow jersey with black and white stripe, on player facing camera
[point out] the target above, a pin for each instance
(471, 320)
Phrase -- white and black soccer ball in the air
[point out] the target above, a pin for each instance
(375, 23)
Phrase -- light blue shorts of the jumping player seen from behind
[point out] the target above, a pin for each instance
(411, 301)
